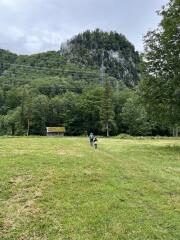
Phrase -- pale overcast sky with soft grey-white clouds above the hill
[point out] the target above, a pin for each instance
(31, 26)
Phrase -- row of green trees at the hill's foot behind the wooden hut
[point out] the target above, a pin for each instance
(27, 110)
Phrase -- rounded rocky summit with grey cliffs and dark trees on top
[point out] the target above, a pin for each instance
(118, 54)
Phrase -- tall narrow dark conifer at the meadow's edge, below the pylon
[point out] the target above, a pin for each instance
(107, 109)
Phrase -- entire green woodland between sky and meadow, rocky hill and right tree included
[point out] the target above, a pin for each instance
(140, 95)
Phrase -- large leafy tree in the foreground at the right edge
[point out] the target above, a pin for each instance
(160, 87)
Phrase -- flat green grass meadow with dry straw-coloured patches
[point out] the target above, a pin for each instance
(61, 188)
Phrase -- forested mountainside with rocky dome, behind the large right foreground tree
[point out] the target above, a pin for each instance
(65, 88)
